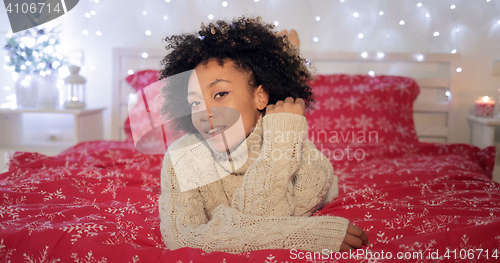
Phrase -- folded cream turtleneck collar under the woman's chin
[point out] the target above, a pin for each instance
(240, 158)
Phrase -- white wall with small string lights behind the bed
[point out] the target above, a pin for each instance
(123, 25)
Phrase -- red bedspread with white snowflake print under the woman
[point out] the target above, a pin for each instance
(97, 202)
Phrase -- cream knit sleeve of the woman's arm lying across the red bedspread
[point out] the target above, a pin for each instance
(184, 223)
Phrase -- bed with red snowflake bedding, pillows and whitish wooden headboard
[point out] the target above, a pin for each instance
(420, 201)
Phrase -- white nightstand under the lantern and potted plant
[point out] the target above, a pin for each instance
(48, 130)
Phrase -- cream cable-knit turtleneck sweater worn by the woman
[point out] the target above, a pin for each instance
(265, 203)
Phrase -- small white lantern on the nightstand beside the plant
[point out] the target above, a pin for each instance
(74, 89)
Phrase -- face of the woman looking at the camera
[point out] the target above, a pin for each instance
(223, 108)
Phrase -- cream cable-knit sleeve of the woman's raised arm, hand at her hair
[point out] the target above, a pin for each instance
(290, 177)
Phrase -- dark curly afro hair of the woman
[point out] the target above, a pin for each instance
(253, 47)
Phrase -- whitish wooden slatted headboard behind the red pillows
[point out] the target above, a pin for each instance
(434, 73)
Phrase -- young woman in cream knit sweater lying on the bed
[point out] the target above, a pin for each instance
(244, 177)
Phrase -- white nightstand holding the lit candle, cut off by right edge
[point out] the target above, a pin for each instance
(483, 135)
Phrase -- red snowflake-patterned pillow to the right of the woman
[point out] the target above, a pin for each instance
(362, 109)
